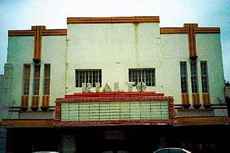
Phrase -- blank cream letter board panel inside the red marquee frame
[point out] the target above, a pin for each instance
(104, 111)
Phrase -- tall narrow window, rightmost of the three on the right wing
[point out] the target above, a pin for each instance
(204, 76)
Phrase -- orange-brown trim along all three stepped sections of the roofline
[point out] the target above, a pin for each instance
(111, 20)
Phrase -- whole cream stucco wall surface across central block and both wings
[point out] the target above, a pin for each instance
(115, 48)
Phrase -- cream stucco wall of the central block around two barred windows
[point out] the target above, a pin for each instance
(114, 48)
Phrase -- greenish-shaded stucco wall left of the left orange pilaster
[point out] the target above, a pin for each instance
(20, 51)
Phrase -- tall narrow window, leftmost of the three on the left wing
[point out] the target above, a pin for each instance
(26, 79)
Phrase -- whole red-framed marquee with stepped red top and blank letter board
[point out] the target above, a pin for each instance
(114, 107)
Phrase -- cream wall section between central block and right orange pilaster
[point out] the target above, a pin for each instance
(174, 48)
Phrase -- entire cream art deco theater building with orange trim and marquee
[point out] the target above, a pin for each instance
(114, 84)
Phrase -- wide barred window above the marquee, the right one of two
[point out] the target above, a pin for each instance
(146, 75)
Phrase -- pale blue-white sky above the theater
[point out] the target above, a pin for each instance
(21, 14)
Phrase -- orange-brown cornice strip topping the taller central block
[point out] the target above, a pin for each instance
(131, 19)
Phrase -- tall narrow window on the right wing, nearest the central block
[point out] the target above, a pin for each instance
(183, 75)
